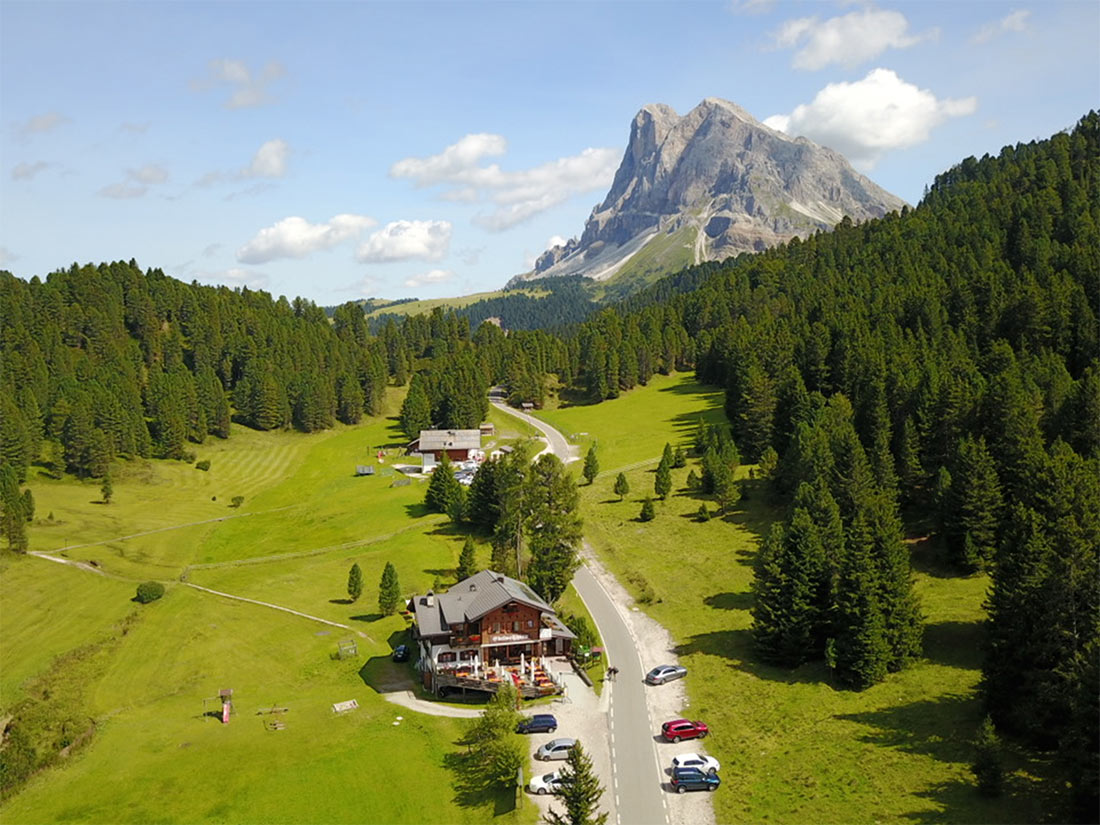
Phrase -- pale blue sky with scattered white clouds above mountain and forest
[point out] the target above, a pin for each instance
(350, 150)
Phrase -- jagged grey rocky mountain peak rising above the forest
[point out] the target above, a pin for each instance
(738, 184)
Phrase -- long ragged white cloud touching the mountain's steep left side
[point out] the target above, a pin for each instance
(515, 195)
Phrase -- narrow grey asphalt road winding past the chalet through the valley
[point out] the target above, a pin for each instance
(636, 772)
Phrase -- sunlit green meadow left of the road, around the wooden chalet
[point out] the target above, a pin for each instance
(153, 756)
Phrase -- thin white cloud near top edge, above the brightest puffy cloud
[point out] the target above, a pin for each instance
(849, 40)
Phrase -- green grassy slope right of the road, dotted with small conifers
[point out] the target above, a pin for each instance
(795, 749)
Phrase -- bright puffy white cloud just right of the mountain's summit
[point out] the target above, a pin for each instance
(868, 118)
